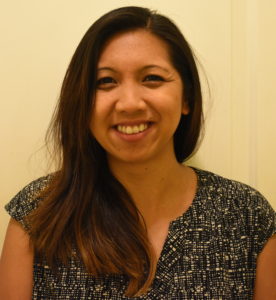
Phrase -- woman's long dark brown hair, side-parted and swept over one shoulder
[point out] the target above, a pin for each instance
(85, 207)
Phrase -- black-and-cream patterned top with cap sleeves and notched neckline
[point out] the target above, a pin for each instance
(210, 251)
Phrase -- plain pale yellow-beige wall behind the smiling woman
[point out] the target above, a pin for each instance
(234, 40)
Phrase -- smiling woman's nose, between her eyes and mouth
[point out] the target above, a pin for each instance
(130, 99)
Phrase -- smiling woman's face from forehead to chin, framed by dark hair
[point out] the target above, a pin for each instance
(139, 98)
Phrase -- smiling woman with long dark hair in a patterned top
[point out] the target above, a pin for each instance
(123, 217)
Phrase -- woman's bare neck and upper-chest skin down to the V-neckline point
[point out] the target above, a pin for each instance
(162, 191)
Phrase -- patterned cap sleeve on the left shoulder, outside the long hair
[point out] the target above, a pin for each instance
(27, 199)
